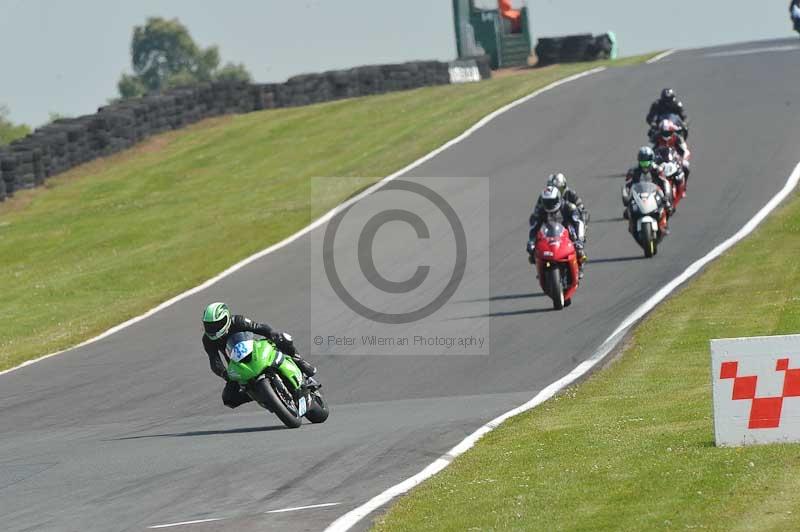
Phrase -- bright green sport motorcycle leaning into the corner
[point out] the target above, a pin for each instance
(274, 381)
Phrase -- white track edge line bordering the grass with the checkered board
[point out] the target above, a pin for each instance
(352, 517)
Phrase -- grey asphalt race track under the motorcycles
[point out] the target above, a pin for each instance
(130, 432)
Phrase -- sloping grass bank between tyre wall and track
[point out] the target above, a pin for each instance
(111, 239)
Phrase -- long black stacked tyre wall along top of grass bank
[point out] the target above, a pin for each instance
(66, 143)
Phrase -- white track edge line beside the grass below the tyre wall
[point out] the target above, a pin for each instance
(320, 221)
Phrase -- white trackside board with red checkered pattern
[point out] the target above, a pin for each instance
(756, 387)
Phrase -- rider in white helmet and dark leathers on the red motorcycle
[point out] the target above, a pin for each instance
(550, 207)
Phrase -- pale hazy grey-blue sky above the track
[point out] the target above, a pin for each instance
(66, 57)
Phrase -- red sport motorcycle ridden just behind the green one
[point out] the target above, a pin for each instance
(556, 264)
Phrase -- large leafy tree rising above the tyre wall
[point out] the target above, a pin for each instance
(163, 55)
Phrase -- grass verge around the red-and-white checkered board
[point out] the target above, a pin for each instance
(632, 447)
